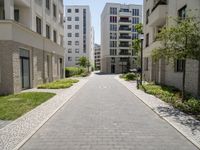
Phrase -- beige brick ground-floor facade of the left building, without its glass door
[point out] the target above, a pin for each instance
(10, 71)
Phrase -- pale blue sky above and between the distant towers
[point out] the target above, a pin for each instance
(96, 7)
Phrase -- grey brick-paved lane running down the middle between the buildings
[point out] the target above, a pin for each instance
(104, 115)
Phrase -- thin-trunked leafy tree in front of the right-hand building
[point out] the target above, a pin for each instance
(179, 42)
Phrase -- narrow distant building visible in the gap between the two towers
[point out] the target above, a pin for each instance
(97, 57)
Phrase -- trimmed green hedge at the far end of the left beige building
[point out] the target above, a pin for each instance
(73, 71)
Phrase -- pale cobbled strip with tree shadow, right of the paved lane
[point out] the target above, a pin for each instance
(185, 124)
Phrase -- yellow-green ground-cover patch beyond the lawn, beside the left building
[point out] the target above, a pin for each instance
(59, 84)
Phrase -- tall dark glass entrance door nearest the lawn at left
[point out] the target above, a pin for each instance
(25, 69)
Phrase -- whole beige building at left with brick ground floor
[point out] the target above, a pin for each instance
(31, 43)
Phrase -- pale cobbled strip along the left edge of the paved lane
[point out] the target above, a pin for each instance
(16, 133)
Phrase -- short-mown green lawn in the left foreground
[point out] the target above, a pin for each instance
(14, 106)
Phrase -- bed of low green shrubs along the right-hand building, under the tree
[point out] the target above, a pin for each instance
(173, 96)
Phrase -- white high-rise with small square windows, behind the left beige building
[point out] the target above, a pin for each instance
(78, 34)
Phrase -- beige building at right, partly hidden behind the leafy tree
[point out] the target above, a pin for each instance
(156, 15)
